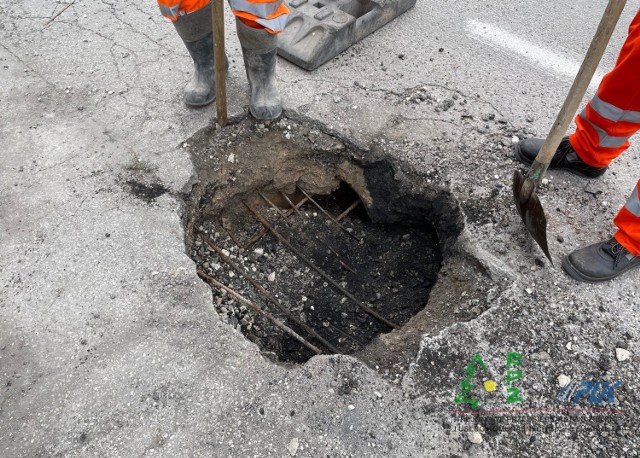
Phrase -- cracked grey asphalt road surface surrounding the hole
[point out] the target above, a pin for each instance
(109, 342)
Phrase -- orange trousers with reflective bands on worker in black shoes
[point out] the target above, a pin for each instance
(607, 122)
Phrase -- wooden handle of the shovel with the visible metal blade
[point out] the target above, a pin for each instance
(580, 84)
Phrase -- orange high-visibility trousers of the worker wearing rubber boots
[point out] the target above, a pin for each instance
(260, 14)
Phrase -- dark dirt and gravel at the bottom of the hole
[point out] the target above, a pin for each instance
(387, 268)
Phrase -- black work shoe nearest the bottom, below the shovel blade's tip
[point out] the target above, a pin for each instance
(600, 262)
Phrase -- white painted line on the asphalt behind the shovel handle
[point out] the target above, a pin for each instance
(558, 64)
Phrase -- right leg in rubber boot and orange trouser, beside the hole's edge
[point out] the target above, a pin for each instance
(258, 22)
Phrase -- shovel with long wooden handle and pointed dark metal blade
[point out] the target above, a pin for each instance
(524, 187)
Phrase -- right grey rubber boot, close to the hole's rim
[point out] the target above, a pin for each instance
(259, 49)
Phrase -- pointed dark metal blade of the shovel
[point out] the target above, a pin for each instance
(530, 209)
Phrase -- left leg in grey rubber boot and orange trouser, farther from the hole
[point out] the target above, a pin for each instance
(193, 22)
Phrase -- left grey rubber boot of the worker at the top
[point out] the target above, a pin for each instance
(195, 31)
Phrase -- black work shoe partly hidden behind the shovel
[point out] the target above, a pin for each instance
(565, 157)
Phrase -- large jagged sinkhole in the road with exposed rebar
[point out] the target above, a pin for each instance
(311, 244)
